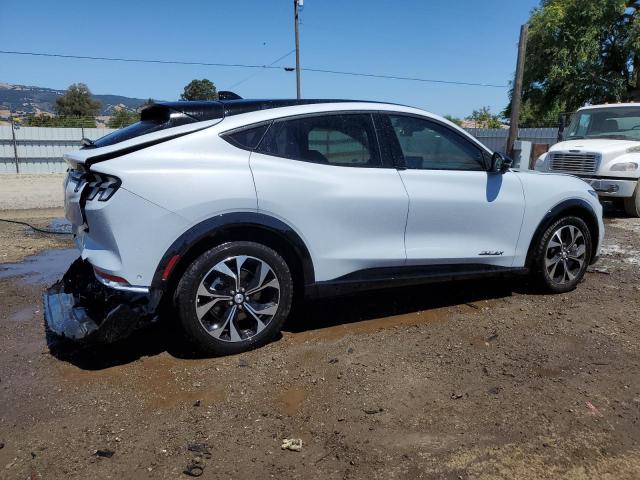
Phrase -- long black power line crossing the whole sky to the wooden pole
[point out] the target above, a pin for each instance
(243, 65)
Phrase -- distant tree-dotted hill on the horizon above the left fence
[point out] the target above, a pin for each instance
(27, 99)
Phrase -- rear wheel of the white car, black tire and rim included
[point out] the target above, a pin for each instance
(218, 318)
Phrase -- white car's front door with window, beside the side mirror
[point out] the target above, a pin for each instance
(459, 213)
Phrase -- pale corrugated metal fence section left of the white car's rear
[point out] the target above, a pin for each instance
(40, 149)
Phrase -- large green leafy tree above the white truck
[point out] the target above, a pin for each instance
(580, 52)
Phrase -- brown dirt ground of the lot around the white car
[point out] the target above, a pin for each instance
(458, 381)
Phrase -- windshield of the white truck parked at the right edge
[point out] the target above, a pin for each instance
(618, 123)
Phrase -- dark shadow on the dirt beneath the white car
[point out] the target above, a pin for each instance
(164, 336)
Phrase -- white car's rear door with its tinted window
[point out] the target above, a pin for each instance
(324, 176)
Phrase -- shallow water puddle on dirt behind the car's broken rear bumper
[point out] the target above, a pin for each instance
(46, 267)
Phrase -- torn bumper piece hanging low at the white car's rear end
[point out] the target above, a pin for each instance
(80, 308)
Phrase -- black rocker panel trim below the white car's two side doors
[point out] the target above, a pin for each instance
(392, 277)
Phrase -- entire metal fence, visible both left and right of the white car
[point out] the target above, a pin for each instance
(40, 149)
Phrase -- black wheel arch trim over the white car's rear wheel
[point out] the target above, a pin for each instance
(216, 225)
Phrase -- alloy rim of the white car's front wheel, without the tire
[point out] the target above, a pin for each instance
(565, 255)
